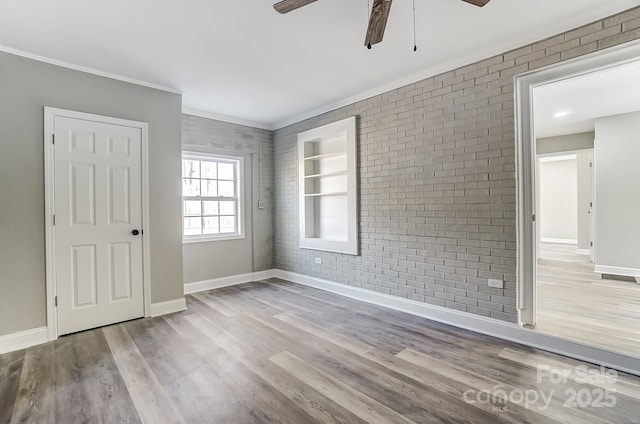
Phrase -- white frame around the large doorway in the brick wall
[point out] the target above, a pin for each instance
(526, 231)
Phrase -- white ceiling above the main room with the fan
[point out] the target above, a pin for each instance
(241, 60)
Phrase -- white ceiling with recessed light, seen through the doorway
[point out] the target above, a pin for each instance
(580, 100)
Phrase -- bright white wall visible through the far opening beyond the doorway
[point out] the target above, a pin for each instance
(559, 199)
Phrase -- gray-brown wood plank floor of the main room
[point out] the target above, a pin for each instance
(276, 352)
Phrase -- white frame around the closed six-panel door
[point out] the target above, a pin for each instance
(49, 188)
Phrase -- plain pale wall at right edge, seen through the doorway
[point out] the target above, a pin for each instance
(617, 202)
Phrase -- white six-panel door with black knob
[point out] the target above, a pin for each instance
(98, 211)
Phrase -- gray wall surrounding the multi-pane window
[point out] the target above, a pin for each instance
(209, 260)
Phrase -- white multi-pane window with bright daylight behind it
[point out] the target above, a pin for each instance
(211, 197)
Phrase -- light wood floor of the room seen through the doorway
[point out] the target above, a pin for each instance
(577, 304)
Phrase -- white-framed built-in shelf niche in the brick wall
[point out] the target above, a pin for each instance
(327, 184)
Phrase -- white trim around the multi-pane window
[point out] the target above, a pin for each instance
(191, 154)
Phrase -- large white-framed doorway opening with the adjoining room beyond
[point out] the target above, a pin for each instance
(578, 236)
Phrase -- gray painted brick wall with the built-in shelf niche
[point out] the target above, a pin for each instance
(437, 180)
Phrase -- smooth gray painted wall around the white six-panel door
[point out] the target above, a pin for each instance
(26, 86)
